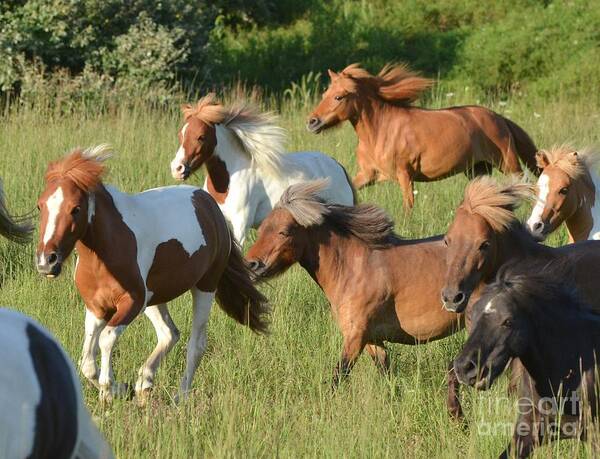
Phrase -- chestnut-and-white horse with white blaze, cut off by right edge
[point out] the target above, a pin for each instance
(566, 192)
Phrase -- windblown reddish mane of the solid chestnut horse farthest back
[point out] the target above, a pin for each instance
(396, 84)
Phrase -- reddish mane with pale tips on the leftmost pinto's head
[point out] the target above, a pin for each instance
(84, 167)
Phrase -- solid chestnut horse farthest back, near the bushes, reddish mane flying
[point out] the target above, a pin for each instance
(398, 141)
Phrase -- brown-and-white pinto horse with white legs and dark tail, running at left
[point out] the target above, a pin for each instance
(136, 253)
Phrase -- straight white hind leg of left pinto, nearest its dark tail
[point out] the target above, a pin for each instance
(198, 339)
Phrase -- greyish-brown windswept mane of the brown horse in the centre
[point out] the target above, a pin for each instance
(367, 222)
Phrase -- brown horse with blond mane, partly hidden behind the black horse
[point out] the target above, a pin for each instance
(485, 235)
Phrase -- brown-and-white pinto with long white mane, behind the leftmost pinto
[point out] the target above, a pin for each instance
(246, 168)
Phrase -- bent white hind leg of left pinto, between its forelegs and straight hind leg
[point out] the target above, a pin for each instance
(166, 337)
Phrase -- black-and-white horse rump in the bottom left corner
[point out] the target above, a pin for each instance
(42, 410)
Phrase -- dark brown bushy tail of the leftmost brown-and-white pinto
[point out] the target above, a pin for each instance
(238, 297)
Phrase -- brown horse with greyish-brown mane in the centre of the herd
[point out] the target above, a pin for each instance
(380, 287)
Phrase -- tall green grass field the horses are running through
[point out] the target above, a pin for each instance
(268, 396)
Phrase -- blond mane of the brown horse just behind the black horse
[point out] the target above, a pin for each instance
(496, 202)
